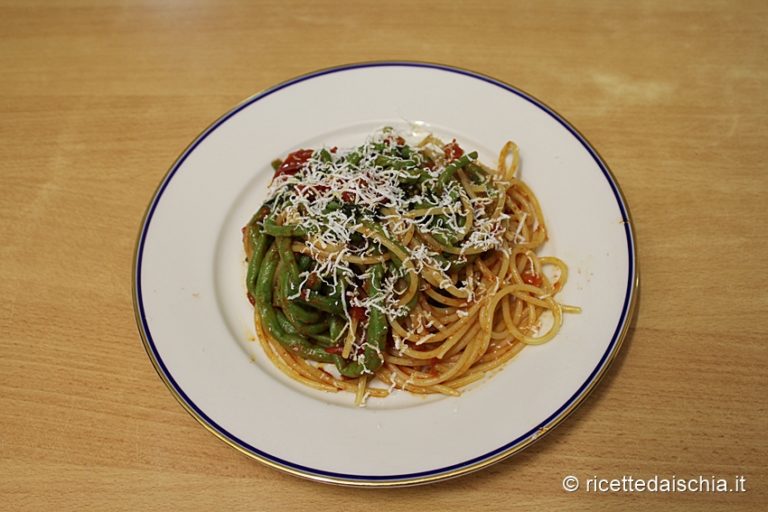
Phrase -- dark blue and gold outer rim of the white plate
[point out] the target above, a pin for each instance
(442, 473)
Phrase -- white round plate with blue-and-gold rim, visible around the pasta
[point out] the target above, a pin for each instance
(197, 325)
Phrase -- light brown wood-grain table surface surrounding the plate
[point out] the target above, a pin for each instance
(98, 98)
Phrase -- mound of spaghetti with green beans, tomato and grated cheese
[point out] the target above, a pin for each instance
(413, 266)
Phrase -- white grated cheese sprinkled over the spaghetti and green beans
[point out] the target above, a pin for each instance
(334, 194)
